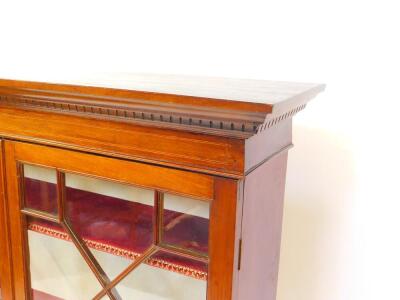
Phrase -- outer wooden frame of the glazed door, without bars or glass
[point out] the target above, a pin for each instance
(220, 192)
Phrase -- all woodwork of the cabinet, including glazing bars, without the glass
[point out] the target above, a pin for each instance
(219, 140)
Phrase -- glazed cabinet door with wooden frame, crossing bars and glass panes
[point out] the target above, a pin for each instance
(92, 227)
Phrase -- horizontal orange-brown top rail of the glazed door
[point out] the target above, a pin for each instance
(143, 175)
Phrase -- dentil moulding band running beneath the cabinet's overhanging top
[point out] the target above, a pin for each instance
(225, 125)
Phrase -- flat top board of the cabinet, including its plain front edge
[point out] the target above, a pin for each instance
(232, 93)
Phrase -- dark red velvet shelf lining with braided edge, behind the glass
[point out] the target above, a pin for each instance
(121, 227)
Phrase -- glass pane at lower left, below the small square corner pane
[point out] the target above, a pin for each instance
(58, 271)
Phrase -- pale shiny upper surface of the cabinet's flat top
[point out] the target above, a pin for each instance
(264, 94)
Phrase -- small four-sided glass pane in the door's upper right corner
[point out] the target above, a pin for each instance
(186, 223)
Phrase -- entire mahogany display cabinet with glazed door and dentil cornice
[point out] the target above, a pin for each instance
(146, 187)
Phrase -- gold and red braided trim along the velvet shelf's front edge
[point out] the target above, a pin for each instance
(159, 263)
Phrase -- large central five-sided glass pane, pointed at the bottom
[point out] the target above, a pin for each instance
(115, 220)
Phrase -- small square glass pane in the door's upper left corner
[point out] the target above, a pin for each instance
(40, 186)
